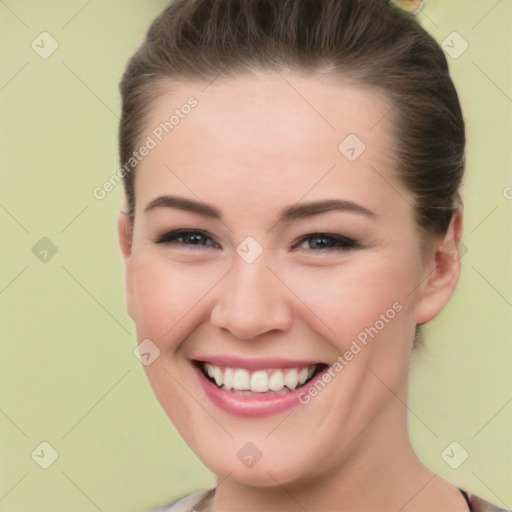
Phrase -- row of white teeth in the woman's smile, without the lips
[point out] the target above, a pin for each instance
(259, 381)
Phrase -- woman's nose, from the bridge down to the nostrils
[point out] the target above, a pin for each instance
(252, 301)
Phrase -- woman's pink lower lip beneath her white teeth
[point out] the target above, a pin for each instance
(249, 406)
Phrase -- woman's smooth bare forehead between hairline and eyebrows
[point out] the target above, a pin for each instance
(281, 134)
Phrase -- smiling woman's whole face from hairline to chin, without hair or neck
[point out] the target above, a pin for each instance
(297, 258)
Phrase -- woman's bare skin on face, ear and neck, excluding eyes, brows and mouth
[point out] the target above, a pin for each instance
(253, 146)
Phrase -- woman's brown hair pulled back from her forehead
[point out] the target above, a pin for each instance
(365, 40)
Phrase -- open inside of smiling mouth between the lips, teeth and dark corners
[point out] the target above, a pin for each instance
(268, 381)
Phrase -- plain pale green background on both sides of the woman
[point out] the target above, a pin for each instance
(68, 373)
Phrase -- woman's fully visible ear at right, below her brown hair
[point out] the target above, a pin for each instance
(442, 272)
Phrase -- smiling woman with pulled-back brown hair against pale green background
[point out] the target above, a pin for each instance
(292, 171)
